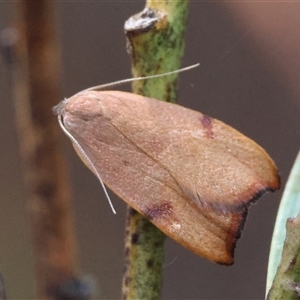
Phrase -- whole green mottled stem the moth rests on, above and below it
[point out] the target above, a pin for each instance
(156, 45)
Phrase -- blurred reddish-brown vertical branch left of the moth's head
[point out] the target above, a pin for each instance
(36, 90)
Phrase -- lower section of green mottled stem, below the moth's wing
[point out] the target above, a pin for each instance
(144, 250)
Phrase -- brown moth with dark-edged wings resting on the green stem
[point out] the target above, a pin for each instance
(193, 176)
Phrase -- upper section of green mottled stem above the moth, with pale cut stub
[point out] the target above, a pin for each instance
(156, 45)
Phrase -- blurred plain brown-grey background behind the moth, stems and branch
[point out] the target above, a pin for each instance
(249, 78)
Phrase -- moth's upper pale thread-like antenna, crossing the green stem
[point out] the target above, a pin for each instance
(106, 85)
